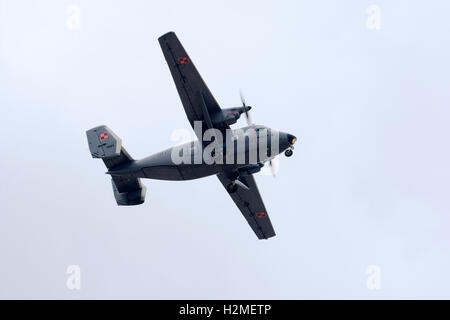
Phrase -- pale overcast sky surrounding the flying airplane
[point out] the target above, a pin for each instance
(368, 183)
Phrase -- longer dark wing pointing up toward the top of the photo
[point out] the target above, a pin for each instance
(198, 102)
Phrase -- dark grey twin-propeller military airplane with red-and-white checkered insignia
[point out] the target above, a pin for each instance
(204, 115)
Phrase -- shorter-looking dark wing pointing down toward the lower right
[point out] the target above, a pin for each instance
(251, 205)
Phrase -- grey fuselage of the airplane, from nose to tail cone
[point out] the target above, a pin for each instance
(250, 156)
